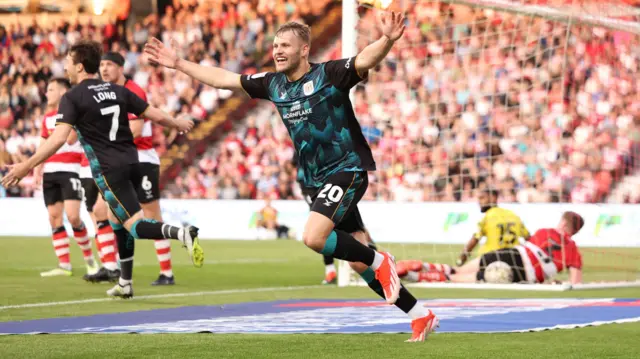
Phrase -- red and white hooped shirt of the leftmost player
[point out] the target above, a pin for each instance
(68, 157)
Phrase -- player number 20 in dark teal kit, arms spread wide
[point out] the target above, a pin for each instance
(313, 102)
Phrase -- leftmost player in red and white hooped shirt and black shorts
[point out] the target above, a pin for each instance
(61, 188)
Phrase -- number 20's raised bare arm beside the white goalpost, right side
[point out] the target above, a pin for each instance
(392, 26)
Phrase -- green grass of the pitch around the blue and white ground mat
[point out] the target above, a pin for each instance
(235, 265)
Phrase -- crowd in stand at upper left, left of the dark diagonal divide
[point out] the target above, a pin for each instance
(236, 35)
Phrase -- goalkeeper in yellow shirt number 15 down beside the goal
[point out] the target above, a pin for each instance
(501, 227)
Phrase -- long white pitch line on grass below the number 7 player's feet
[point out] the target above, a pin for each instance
(170, 295)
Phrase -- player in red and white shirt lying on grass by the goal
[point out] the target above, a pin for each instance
(541, 258)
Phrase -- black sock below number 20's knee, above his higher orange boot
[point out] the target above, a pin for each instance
(342, 245)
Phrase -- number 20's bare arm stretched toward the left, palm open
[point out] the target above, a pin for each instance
(213, 76)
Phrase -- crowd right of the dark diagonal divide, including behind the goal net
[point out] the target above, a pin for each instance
(452, 111)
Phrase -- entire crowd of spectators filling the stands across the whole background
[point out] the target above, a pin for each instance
(495, 100)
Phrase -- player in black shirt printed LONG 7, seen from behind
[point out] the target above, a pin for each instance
(98, 110)
